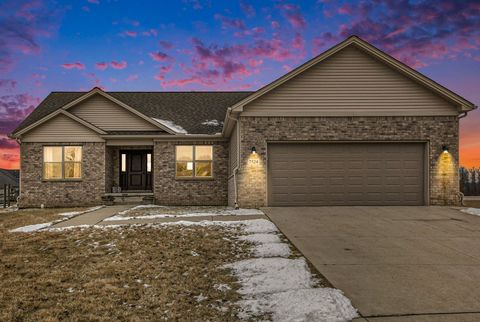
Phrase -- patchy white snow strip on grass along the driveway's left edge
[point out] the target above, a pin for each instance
(284, 287)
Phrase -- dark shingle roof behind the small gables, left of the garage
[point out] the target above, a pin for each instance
(190, 110)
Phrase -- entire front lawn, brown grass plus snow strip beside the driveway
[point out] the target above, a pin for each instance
(213, 271)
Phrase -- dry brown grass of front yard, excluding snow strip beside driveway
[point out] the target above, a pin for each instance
(136, 273)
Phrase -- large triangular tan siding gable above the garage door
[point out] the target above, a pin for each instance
(350, 83)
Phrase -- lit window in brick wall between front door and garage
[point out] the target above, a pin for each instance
(194, 161)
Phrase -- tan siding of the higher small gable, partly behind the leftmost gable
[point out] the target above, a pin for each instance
(109, 116)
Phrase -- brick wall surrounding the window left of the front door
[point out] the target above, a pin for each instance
(87, 191)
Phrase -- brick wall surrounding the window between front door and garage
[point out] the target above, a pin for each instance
(171, 191)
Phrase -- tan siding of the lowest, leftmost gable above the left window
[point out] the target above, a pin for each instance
(61, 128)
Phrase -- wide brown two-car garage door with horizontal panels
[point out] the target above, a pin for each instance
(314, 174)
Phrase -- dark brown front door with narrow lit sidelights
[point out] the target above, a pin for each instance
(135, 172)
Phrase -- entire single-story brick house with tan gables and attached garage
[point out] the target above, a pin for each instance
(352, 126)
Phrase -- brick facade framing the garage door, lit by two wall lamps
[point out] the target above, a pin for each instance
(435, 131)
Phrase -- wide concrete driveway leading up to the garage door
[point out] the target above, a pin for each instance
(394, 263)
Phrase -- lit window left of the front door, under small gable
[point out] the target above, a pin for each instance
(62, 162)
